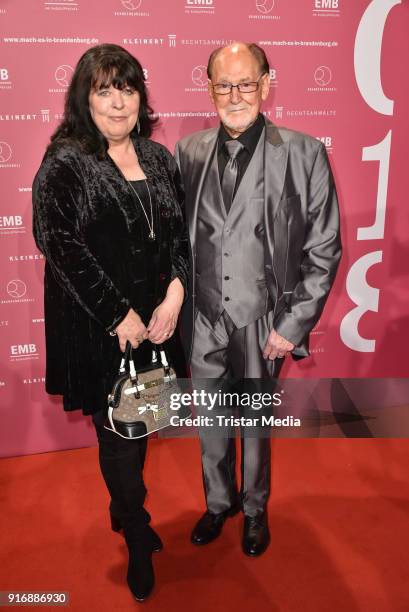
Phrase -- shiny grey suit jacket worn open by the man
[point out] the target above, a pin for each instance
(301, 219)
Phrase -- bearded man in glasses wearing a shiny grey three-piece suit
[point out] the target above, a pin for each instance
(263, 221)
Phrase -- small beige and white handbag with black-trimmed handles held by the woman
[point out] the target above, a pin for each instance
(139, 403)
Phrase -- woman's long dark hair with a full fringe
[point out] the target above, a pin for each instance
(101, 66)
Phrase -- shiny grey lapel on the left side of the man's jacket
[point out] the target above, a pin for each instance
(199, 167)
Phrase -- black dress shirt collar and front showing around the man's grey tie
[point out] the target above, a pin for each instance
(249, 139)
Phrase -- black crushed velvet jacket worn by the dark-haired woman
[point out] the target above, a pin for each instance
(88, 226)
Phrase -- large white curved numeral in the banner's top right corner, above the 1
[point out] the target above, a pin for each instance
(367, 55)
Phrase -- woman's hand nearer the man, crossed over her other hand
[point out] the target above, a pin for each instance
(164, 318)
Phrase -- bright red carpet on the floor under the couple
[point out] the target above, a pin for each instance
(339, 518)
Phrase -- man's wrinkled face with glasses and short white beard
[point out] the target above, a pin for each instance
(238, 110)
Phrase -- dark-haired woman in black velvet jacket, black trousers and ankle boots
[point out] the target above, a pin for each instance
(107, 218)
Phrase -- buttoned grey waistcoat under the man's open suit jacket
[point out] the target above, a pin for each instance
(230, 249)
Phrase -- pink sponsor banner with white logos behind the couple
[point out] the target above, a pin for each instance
(338, 72)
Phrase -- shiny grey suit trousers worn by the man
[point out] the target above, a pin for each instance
(222, 355)
